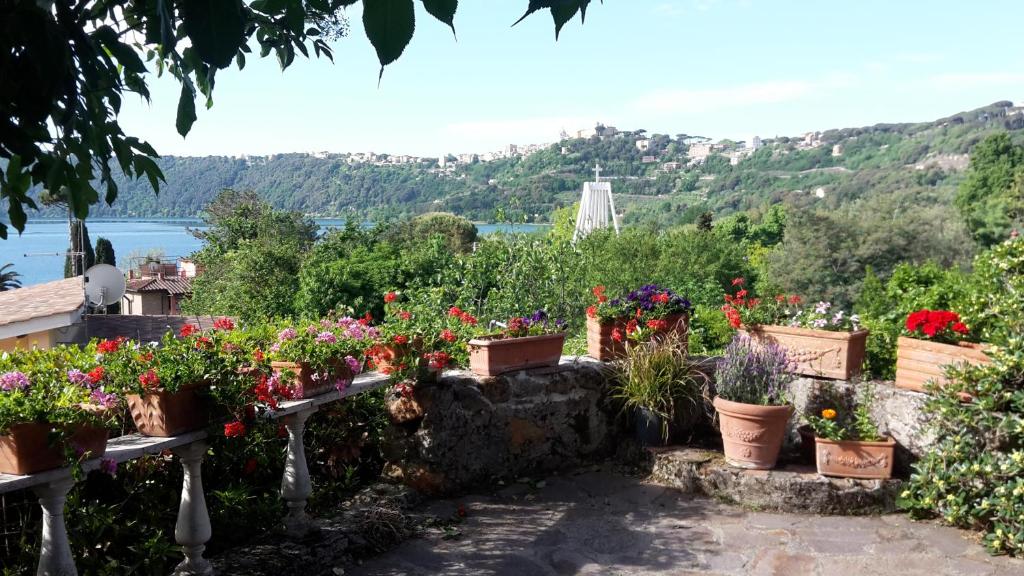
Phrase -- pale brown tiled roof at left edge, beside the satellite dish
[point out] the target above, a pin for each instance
(42, 302)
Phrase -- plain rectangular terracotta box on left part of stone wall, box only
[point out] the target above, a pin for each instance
(490, 356)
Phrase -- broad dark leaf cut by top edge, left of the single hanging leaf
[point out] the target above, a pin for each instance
(216, 28)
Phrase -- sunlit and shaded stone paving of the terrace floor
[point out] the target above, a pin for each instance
(604, 523)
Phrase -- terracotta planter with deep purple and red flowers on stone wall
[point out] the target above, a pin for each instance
(641, 315)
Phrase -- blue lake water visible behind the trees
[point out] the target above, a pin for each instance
(39, 254)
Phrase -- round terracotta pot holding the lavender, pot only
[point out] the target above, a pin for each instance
(752, 435)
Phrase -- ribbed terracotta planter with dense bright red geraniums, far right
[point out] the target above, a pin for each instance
(933, 341)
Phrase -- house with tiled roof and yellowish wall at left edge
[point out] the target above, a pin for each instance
(37, 316)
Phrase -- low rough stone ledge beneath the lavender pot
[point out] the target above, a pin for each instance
(791, 488)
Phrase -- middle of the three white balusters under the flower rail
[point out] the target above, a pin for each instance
(193, 529)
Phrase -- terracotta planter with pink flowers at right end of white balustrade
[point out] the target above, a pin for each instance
(321, 357)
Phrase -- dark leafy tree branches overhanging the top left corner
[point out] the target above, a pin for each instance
(67, 66)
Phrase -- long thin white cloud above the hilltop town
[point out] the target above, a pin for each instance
(708, 100)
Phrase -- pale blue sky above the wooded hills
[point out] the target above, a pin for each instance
(714, 68)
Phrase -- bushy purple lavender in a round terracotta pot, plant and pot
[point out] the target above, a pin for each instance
(751, 384)
